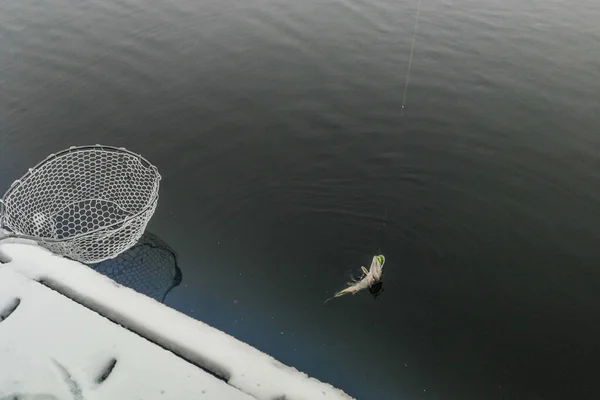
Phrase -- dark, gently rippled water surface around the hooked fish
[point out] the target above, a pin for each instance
(286, 163)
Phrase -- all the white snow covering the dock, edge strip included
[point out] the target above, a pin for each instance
(72, 323)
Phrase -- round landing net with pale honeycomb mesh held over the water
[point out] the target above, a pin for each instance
(86, 203)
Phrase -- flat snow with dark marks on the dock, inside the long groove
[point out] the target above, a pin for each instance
(53, 348)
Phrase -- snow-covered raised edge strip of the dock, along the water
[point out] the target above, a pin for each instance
(241, 365)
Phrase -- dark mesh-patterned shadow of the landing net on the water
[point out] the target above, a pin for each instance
(150, 267)
